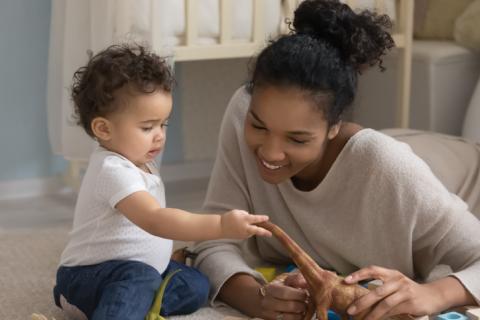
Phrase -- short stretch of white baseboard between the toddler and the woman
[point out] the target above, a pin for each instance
(186, 171)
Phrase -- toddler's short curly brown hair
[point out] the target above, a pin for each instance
(95, 85)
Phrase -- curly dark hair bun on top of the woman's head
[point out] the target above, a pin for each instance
(361, 38)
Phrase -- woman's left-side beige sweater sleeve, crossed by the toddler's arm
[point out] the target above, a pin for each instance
(221, 259)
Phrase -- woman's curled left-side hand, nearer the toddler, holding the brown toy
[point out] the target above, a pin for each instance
(284, 298)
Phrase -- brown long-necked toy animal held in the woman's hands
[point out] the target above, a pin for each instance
(327, 290)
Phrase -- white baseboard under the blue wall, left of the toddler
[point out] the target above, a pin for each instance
(14, 189)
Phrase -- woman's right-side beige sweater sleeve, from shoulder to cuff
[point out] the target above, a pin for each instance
(443, 230)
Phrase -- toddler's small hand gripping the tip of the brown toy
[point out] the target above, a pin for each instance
(239, 224)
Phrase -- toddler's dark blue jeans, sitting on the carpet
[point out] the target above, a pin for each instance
(125, 289)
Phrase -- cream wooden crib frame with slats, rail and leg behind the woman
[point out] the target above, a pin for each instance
(226, 47)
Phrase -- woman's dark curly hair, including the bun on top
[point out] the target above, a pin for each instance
(328, 47)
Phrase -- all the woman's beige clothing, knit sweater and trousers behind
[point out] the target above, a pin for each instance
(379, 204)
